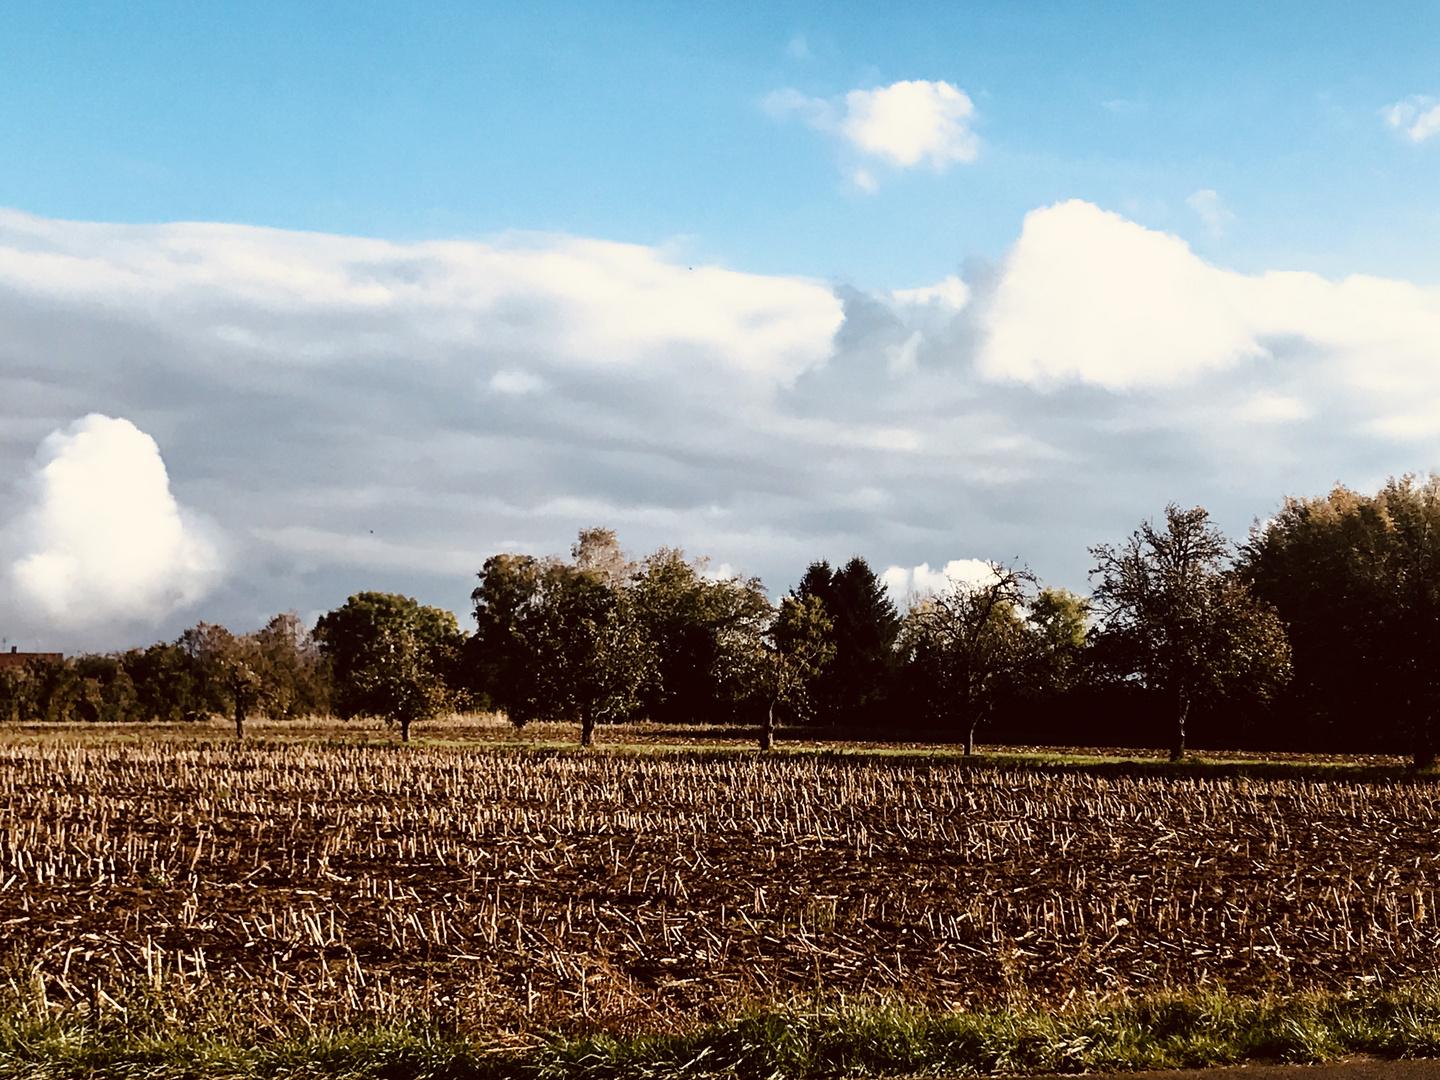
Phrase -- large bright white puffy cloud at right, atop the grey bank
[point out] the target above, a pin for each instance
(1088, 296)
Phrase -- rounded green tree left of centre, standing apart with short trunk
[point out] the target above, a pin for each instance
(388, 656)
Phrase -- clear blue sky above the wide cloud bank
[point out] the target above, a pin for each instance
(642, 123)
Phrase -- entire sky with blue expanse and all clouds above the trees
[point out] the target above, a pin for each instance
(354, 296)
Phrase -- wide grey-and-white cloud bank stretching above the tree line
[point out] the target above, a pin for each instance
(356, 414)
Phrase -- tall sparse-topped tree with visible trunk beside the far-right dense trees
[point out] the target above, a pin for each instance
(1176, 620)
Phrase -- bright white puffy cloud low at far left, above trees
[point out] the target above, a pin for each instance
(106, 541)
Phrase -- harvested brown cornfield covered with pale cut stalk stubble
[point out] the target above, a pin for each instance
(621, 892)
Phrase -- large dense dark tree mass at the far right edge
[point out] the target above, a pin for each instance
(1357, 580)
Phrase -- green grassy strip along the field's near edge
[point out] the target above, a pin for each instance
(1176, 1030)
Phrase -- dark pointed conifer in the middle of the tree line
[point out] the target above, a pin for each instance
(866, 626)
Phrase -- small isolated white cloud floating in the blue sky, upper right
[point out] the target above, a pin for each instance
(901, 126)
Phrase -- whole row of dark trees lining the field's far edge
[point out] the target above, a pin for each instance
(1317, 633)
